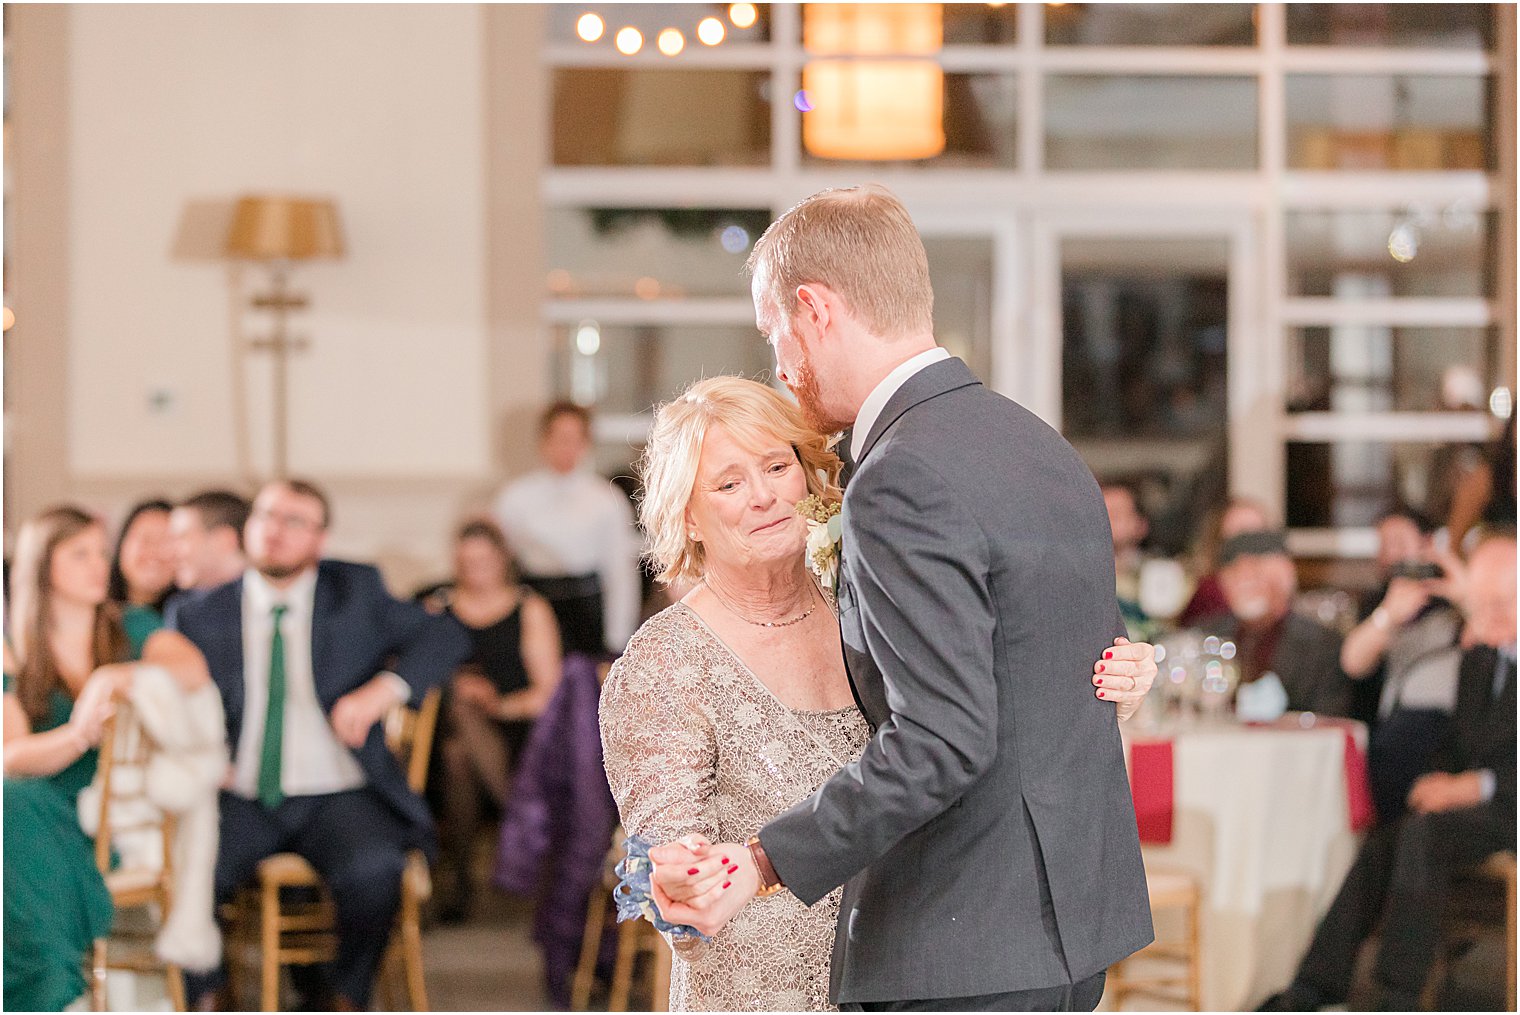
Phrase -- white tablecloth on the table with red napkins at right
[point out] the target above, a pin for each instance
(1262, 823)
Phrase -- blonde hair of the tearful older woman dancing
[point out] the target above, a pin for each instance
(753, 416)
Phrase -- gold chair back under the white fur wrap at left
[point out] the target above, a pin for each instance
(125, 808)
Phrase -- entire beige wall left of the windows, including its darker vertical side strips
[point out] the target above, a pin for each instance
(157, 119)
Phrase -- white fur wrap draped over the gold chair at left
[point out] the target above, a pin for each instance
(183, 777)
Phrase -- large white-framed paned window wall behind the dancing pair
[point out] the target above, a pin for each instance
(1346, 350)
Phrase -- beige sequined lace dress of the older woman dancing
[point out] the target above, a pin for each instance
(695, 744)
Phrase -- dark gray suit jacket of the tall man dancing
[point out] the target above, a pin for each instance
(987, 833)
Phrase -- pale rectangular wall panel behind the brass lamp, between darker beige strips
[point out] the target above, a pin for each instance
(381, 107)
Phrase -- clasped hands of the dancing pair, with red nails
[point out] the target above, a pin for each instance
(700, 884)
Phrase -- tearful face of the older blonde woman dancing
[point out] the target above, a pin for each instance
(744, 505)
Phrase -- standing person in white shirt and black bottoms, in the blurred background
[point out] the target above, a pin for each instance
(574, 537)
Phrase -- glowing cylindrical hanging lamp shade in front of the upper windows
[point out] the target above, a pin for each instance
(879, 110)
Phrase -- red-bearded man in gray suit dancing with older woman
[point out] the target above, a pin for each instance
(987, 835)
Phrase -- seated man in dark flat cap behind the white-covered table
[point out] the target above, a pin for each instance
(1258, 581)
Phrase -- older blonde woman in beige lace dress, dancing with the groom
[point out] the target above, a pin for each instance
(733, 704)
